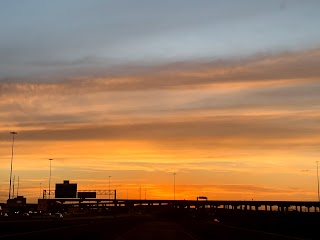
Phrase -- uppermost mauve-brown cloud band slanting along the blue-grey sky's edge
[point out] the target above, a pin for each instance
(257, 69)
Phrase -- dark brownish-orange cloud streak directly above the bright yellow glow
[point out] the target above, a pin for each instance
(235, 130)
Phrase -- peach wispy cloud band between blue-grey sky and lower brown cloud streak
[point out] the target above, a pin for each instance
(278, 83)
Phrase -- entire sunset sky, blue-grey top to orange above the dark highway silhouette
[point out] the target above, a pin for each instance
(226, 94)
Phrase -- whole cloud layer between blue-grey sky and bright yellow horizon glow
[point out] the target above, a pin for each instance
(268, 99)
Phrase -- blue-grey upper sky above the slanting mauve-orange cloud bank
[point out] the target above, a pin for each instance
(38, 36)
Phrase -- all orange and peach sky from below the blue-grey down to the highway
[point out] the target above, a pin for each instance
(240, 129)
